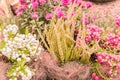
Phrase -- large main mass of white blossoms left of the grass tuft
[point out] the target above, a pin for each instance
(20, 41)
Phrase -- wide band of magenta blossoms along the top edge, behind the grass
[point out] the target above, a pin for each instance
(33, 6)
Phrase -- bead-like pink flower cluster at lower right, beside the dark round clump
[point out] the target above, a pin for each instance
(111, 61)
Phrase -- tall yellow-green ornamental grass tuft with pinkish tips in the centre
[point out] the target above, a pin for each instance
(59, 38)
